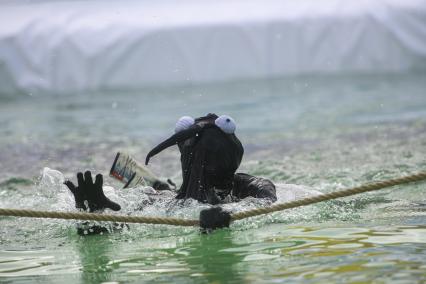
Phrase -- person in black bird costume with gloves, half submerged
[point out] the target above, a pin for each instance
(210, 156)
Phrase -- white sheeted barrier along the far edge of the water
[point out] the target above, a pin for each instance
(81, 46)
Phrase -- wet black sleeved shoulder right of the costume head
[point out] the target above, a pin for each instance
(246, 185)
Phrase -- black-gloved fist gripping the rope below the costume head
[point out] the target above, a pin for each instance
(214, 218)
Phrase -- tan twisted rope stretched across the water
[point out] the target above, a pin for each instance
(234, 217)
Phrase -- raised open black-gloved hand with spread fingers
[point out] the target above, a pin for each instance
(90, 192)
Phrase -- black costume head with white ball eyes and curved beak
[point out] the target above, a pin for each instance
(210, 155)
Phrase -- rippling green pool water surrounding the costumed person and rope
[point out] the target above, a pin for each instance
(307, 134)
